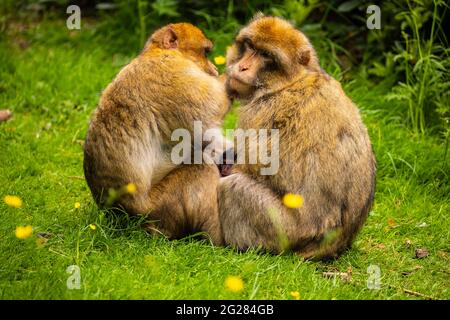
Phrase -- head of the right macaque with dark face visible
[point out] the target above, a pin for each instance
(266, 54)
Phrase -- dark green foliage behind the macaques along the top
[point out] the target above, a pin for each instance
(410, 49)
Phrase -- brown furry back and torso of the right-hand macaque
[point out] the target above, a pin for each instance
(325, 155)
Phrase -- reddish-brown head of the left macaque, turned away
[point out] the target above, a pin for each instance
(188, 40)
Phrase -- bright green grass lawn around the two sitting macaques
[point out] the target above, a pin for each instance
(53, 87)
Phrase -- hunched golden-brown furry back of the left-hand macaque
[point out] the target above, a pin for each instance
(137, 113)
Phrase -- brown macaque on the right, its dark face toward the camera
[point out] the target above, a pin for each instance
(325, 154)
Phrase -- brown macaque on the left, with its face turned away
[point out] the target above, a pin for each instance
(168, 86)
